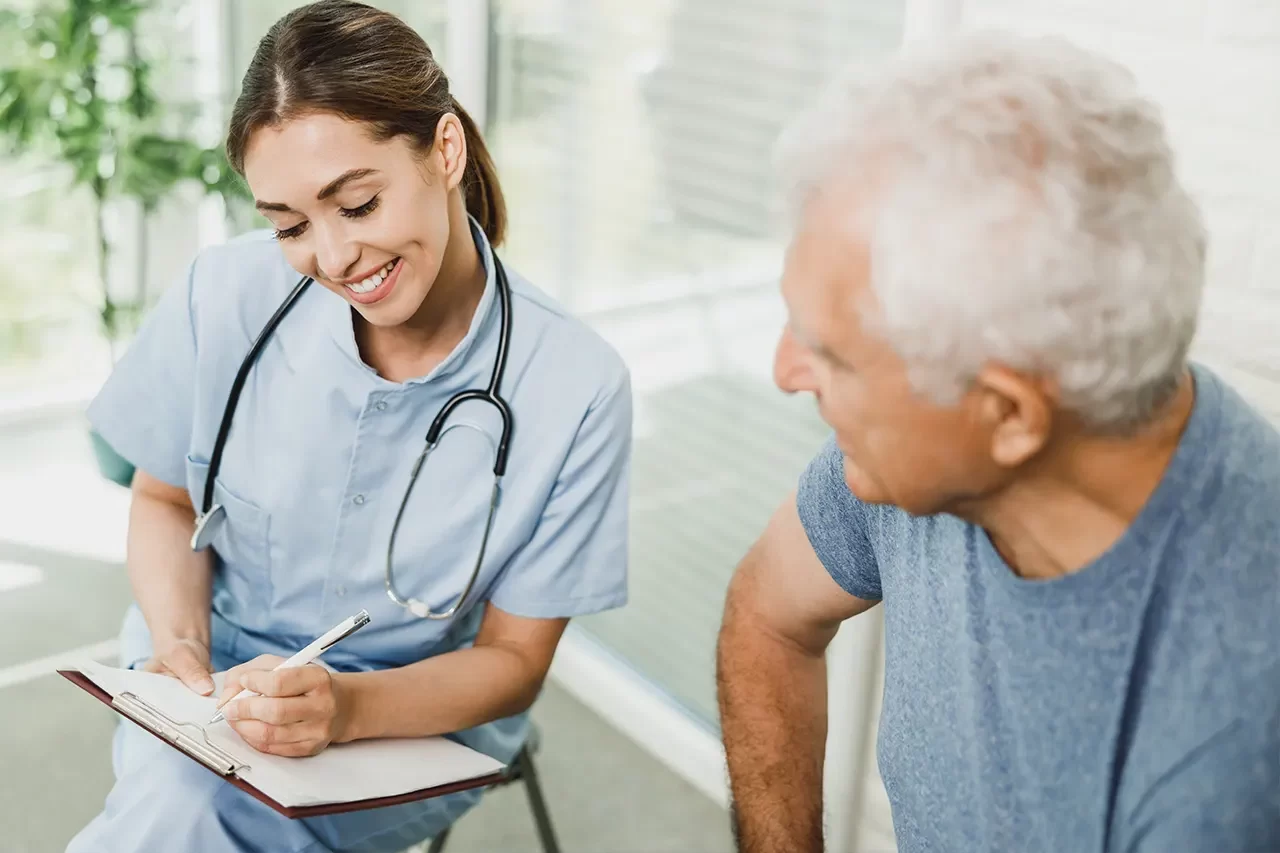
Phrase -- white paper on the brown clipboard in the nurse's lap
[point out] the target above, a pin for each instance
(340, 774)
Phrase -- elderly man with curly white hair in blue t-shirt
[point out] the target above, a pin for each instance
(1076, 532)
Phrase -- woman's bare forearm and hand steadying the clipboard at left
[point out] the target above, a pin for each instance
(172, 583)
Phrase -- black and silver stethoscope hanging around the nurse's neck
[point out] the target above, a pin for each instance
(213, 517)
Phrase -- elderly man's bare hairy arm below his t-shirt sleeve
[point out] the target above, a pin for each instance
(781, 613)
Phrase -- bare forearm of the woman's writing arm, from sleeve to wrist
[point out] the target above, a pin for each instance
(499, 677)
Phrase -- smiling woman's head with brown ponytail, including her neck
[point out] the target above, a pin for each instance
(323, 179)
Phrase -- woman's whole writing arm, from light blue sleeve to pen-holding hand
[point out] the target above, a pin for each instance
(575, 564)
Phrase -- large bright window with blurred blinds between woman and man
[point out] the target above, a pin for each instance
(634, 147)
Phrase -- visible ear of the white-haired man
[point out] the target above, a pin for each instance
(1020, 412)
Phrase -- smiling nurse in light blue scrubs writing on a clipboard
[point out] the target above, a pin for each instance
(380, 188)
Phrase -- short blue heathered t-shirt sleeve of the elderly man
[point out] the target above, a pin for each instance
(836, 524)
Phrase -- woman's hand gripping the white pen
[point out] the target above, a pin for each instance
(299, 713)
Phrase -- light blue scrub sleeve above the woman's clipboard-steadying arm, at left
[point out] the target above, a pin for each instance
(145, 409)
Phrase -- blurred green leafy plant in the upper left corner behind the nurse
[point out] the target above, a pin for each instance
(76, 86)
